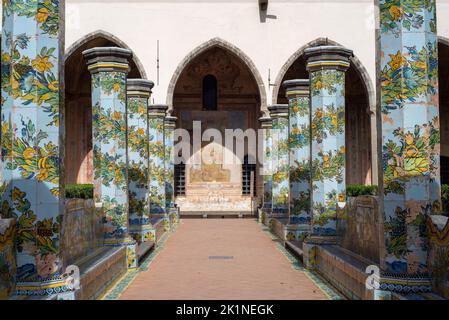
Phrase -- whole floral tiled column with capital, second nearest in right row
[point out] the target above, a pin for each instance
(327, 66)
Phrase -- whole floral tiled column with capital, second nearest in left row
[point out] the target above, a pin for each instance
(109, 68)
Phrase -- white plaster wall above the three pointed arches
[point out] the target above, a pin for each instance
(180, 26)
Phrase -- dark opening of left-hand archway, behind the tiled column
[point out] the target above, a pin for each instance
(78, 106)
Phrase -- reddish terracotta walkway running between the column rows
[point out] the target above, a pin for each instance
(222, 259)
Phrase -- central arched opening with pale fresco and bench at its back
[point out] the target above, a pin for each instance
(217, 88)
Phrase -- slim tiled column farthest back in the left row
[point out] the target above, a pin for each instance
(169, 138)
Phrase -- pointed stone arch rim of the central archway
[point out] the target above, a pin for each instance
(218, 42)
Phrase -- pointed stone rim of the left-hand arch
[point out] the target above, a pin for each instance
(98, 34)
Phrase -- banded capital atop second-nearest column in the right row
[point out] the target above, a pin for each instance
(328, 57)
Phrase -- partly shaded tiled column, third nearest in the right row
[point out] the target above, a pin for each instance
(298, 95)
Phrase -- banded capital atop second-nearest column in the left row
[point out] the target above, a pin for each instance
(107, 59)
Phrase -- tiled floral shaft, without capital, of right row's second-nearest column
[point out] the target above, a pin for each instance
(328, 148)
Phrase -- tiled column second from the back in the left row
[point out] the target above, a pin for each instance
(156, 114)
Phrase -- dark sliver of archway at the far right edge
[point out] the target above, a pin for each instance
(443, 56)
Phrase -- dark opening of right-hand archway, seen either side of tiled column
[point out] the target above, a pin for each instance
(359, 154)
